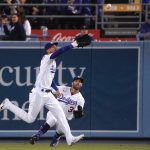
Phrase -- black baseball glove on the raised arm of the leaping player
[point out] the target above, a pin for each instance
(84, 40)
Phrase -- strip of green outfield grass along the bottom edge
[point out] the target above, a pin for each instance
(84, 146)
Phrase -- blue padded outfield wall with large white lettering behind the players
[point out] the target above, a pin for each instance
(116, 88)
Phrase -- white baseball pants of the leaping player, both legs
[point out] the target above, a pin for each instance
(37, 100)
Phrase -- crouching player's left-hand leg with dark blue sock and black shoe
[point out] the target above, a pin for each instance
(50, 122)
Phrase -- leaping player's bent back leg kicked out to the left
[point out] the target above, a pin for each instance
(35, 105)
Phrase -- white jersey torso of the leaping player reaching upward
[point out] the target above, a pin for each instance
(47, 72)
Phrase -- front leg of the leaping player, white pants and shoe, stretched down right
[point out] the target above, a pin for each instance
(55, 108)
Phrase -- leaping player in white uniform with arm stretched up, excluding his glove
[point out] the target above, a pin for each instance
(41, 96)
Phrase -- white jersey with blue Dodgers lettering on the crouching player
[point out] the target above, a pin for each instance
(69, 102)
